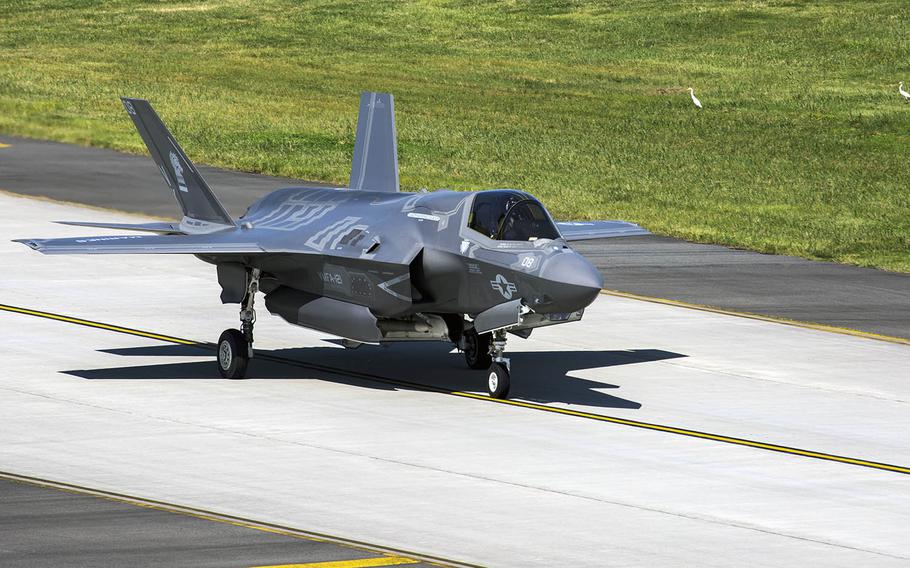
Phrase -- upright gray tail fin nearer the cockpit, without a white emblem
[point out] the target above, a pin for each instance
(375, 165)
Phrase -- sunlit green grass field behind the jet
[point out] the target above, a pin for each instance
(803, 146)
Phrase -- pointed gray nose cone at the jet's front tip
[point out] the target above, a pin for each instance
(575, 282)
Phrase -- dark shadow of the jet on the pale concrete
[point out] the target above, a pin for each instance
(539, 376)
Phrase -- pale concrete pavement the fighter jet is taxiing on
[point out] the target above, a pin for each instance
(644, 435)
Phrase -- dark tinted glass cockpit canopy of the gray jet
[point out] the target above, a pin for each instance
(510, 215)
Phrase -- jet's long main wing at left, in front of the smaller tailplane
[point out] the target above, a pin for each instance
(146, 244)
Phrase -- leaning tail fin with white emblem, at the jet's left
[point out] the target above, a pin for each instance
(200, 206)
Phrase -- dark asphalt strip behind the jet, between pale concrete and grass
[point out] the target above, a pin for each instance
(846, 296)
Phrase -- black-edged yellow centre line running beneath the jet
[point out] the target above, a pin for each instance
(515, 403)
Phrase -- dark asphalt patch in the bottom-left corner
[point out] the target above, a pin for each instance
(48, 524)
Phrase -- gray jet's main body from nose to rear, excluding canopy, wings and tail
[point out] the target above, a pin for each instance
(399, 254)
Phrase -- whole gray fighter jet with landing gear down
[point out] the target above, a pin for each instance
(369, 263)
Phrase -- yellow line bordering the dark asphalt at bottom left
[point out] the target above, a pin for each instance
(202, 514)
